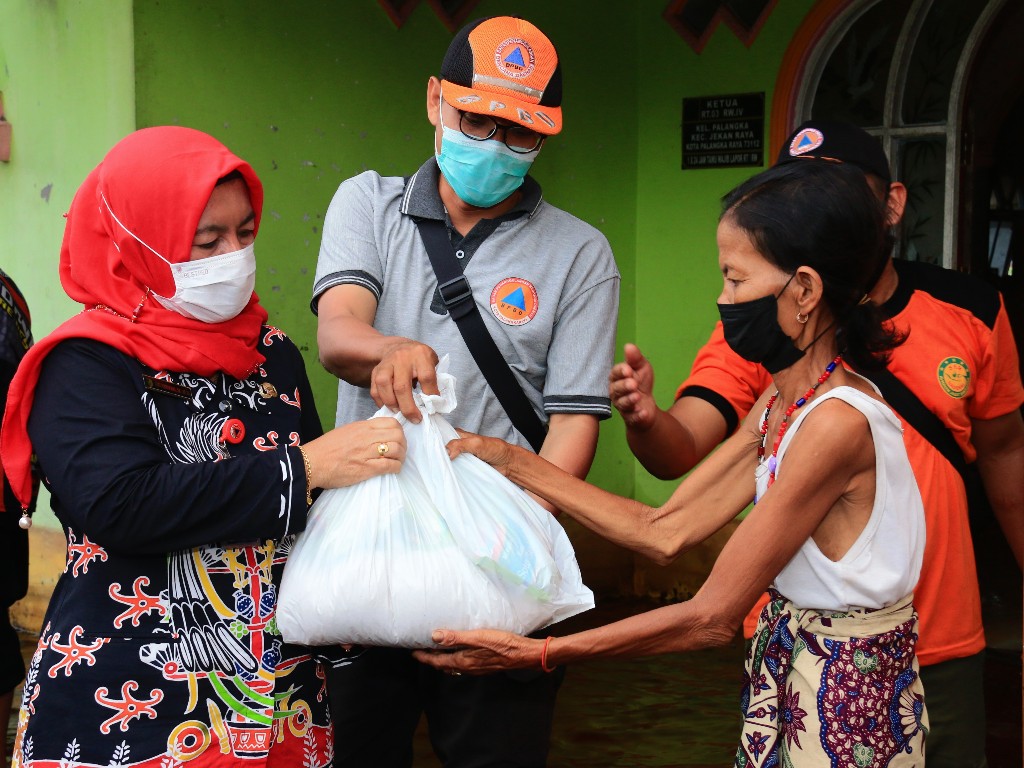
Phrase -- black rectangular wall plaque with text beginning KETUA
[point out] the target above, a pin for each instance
(724, 132)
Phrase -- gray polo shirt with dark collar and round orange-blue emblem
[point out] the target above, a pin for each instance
(546, 285)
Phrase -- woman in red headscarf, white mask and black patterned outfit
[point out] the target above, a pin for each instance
(178, 435)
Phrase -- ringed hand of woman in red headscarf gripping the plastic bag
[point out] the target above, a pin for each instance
(356, 452)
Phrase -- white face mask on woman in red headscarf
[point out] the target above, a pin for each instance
(215, 289)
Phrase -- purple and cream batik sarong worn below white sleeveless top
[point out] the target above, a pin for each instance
(824, 689)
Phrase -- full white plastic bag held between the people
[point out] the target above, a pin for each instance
(443, 544)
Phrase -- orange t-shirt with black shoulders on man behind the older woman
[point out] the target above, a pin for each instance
(961, 361)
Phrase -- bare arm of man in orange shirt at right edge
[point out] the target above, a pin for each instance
(1000, 444)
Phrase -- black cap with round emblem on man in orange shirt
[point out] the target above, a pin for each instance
(842, 143)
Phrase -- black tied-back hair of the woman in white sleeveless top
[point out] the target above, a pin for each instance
(826, 217)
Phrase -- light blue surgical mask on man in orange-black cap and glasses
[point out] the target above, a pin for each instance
(482, 174)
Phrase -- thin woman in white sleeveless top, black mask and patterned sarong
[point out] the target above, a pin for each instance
(838, 529)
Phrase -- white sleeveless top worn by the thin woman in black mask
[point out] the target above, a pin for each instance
(884, 563)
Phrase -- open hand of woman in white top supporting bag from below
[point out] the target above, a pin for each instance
(482, 652)
